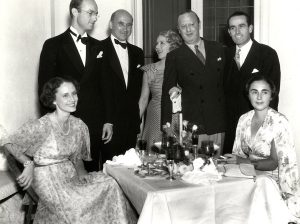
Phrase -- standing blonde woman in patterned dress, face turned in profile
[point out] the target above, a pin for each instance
(152, 84)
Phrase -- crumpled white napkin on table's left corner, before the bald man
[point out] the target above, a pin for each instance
(130, 158)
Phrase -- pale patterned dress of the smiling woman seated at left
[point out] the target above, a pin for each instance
(63, 198)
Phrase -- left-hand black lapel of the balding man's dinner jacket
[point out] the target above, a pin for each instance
(115, 62)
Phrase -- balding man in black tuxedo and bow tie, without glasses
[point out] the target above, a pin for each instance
(122, 61)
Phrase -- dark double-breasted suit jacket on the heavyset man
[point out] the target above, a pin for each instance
(202, 86)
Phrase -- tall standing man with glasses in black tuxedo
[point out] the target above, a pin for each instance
(77, 55)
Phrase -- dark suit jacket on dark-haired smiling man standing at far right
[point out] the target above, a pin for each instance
(262, 59)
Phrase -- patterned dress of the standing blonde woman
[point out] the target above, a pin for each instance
(152, 130)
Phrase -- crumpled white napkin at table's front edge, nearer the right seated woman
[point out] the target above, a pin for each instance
(202, 174)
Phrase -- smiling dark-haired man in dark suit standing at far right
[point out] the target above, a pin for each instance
(243, 60)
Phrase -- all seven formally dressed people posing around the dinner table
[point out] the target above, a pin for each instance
(106, 87)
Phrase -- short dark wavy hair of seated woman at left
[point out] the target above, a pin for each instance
(49, 90)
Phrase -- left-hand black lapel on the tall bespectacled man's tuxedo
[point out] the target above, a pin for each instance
(72, 52)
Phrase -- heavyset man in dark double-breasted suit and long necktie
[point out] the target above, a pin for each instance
(197, 67)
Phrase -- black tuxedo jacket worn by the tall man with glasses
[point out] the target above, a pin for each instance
(60, 57)
